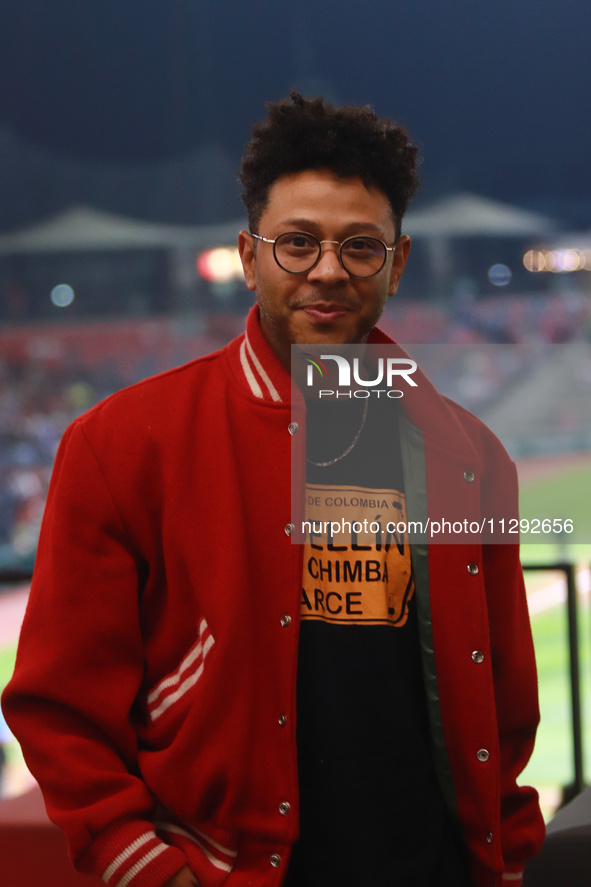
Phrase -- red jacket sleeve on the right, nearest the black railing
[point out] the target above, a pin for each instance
(516, 690)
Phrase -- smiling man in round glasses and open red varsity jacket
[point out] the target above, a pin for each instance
(170, 615)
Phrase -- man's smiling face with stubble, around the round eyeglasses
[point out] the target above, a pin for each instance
(324, 305)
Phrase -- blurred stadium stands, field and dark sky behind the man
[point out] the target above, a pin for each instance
(120, 134)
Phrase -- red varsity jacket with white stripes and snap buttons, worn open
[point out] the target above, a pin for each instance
(154, 691)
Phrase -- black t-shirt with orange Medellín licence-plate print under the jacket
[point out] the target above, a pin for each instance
(371, 808)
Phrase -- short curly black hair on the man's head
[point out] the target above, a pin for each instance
(308, 133)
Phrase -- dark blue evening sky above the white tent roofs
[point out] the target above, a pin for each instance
(143, 107)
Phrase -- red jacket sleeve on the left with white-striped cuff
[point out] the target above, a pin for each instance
(79, 667)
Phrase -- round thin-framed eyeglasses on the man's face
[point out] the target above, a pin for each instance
(297, 252)
